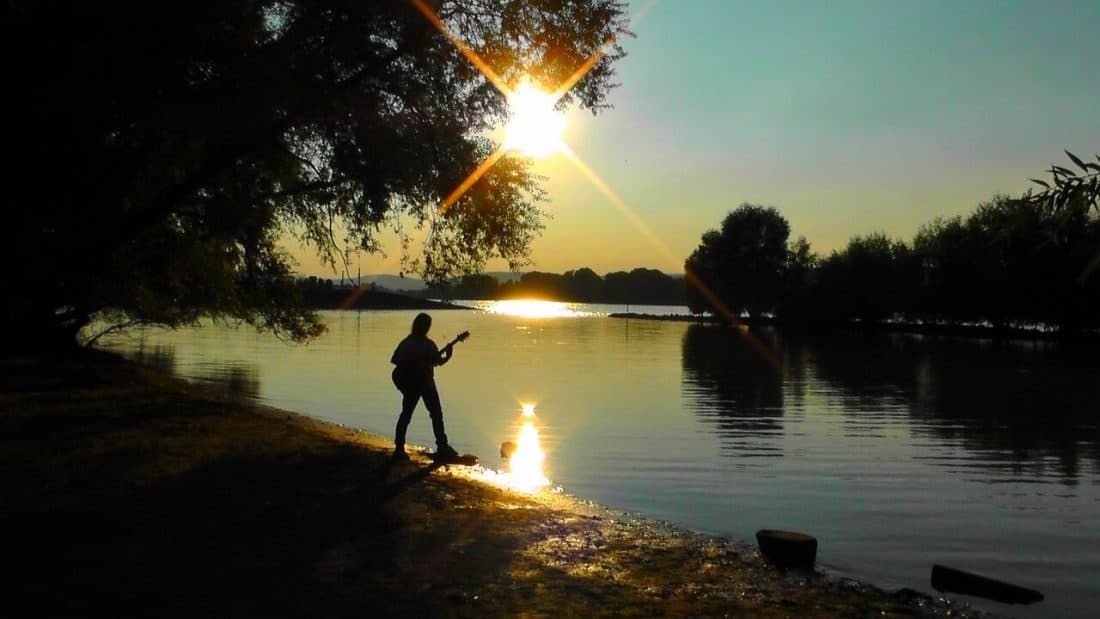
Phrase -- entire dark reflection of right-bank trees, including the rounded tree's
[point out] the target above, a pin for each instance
(1021, 408)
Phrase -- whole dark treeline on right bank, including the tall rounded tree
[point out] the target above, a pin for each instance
(1010, 263)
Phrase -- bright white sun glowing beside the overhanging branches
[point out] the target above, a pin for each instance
(536, 128)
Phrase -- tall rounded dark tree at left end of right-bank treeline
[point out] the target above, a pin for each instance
(744, 264)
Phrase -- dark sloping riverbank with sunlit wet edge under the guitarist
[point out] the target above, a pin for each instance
(134, 493)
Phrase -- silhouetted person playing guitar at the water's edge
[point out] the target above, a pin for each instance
(416, 359)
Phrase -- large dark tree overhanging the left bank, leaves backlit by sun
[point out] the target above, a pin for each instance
(161, 151)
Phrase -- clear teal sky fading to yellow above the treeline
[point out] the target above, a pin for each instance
(849, 117)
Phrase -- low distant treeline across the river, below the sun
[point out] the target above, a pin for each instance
(639, 286)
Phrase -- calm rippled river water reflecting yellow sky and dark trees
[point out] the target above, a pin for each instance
(896, 451)
